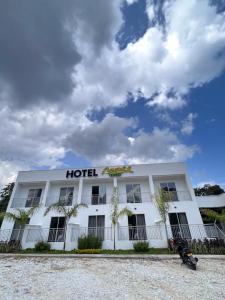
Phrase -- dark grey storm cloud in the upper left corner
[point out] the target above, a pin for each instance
(37, 52)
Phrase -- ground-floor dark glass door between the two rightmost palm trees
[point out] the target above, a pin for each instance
(137, 228)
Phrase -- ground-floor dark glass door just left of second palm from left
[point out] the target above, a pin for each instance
(56, 230)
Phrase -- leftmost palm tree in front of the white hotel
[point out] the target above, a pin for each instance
(20, 217)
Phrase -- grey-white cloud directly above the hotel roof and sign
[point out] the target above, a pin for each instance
(107, 142)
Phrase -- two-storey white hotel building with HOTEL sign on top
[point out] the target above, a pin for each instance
(136, 186)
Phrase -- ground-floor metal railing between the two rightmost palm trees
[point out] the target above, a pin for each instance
(139, 232)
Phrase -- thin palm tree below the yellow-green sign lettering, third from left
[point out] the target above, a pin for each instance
(116, 213)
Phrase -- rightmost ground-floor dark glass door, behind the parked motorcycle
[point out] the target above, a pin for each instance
(179, 225)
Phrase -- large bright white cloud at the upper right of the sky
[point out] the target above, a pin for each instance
(162, 62)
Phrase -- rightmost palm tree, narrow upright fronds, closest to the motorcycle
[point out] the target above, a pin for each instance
(162, 203)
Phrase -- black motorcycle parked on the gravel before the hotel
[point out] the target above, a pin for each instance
(186, 253)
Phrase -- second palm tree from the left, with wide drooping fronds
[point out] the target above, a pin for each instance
(67, 212)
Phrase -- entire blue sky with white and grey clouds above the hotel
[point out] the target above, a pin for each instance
(110, 82)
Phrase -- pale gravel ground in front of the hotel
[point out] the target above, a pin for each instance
(68, 278)
